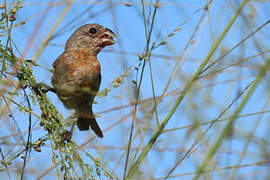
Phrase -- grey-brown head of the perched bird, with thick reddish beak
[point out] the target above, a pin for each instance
(93, 37)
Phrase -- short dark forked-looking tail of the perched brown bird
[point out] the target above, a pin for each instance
(83, 124)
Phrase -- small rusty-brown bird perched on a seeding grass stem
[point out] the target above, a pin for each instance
(77, 72)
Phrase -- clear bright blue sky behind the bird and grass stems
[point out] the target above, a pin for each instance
(203, 103)
